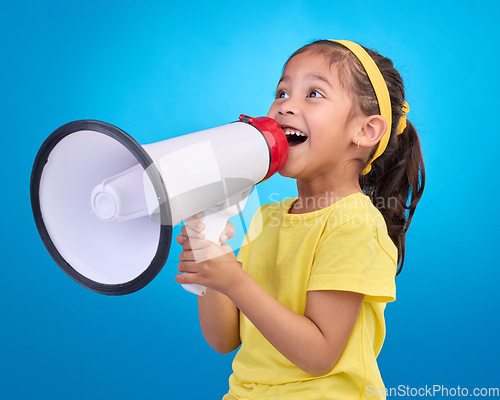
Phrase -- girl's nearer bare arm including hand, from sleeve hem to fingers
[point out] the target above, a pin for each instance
(313, 341)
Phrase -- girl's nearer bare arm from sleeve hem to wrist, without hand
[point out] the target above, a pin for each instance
(313, 341)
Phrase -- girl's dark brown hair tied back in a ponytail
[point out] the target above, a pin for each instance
(396, 181)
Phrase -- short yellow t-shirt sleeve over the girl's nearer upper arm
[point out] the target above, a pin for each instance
(358, 258)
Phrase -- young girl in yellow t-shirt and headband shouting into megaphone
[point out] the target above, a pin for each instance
(306, 296)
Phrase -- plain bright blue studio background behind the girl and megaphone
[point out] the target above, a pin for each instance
(158, 69)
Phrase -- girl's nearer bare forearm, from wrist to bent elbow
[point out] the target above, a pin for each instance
(295, 336)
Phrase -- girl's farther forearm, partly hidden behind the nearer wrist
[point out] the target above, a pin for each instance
(219, 320)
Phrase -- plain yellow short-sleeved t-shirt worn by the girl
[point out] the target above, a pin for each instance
(344, 246)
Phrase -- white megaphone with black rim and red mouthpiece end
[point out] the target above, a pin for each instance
(105, 206)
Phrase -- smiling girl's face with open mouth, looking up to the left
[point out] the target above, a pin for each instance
(314, 110)
